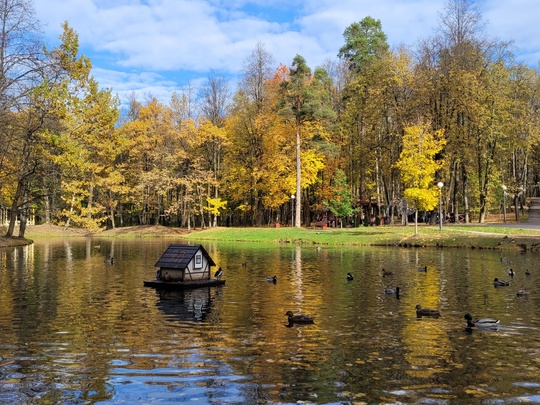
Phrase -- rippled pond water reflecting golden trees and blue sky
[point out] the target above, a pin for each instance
(76, 330)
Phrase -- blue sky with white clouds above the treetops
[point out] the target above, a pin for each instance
(156, 47)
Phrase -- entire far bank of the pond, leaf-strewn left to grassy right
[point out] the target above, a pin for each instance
(452, 236)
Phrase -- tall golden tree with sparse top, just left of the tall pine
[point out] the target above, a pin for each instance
(251, 148)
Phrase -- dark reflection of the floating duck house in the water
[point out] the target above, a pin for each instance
(192, 304)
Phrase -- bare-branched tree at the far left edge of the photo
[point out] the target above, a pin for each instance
(21, 70)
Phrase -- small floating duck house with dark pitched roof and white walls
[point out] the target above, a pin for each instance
(184, 263)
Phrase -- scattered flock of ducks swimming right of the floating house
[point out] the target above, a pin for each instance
(421, 311)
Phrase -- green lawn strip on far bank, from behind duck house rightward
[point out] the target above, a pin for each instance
(455, 236)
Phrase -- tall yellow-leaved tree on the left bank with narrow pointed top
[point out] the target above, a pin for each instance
(85, 146)
